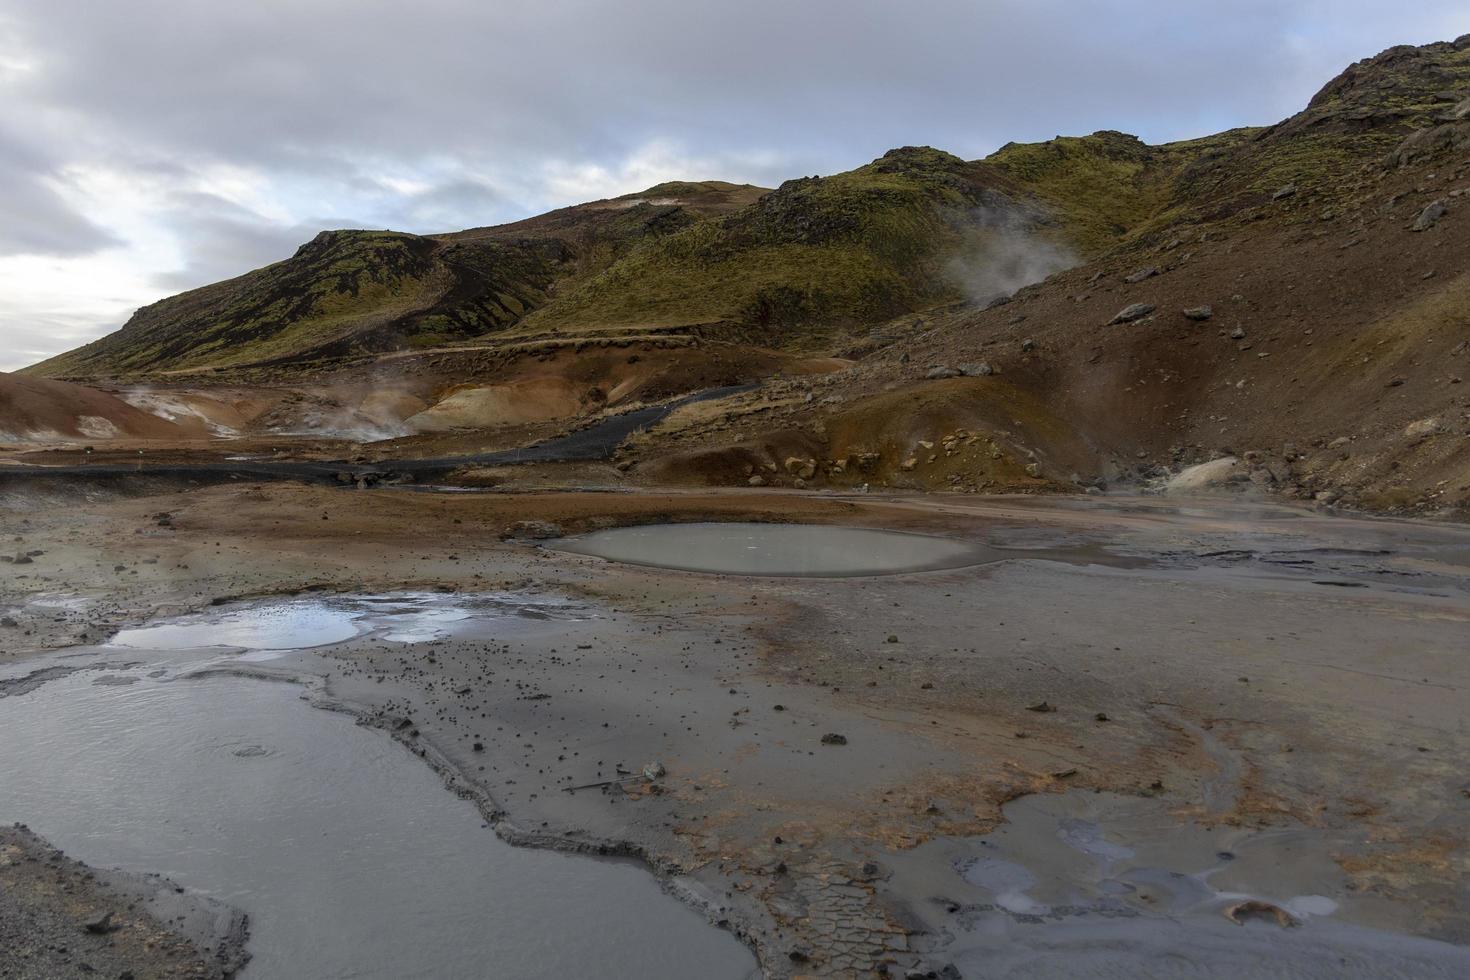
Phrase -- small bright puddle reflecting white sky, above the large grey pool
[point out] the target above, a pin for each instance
(268, 628)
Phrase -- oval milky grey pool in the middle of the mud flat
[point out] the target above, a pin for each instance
(778, 550)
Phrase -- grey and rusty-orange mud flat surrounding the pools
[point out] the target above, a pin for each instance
(903, 774)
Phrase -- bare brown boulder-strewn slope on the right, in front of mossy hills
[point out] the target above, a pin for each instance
(1290, 305)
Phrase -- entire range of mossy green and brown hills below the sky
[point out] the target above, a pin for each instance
(1288, 303)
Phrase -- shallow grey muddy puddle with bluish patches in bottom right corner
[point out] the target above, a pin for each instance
(1097, 885)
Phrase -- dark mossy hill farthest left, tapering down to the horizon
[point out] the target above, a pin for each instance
(367, 292)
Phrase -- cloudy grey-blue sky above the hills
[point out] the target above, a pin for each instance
(155, 146)
